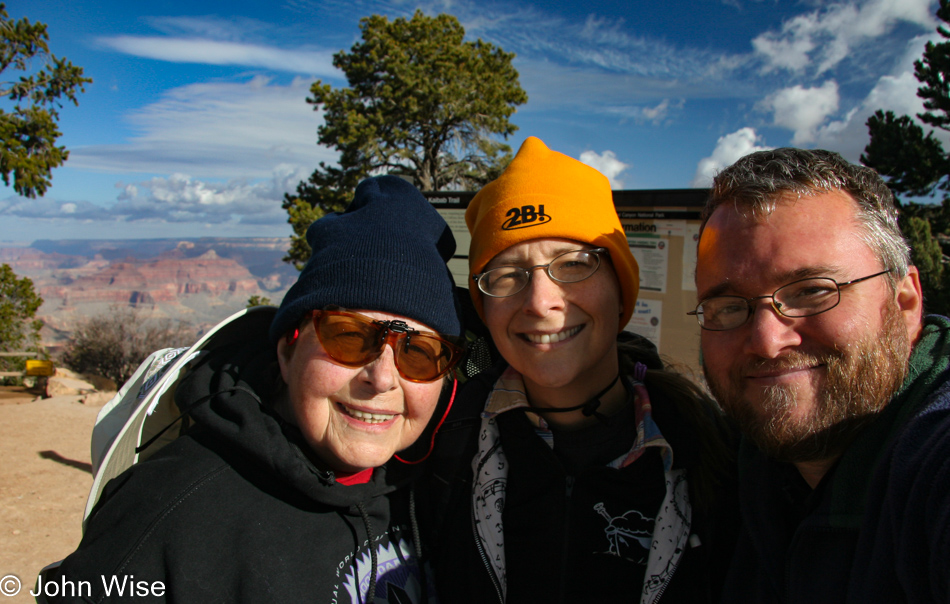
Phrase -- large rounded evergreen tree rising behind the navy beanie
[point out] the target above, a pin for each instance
(422, 103)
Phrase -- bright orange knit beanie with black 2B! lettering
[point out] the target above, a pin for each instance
(545, 194)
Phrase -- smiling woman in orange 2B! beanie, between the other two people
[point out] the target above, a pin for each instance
(579, 469)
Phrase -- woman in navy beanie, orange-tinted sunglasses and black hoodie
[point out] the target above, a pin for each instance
(290, 487)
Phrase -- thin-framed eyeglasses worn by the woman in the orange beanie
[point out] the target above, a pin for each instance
(569, 267)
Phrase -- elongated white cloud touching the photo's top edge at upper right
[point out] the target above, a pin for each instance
(827, 36)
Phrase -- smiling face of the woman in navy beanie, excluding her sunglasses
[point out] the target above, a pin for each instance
(354, 418)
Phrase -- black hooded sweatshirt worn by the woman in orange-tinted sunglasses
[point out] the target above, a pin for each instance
(234, 512)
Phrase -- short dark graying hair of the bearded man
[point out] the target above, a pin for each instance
(758, 180)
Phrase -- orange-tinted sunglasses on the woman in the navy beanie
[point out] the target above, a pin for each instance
(354, 340)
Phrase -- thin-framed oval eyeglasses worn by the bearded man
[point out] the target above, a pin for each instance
(803, 298)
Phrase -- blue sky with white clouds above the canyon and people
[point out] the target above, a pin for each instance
(196, 122)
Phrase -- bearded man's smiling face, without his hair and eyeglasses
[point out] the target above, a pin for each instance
(799, 387)
